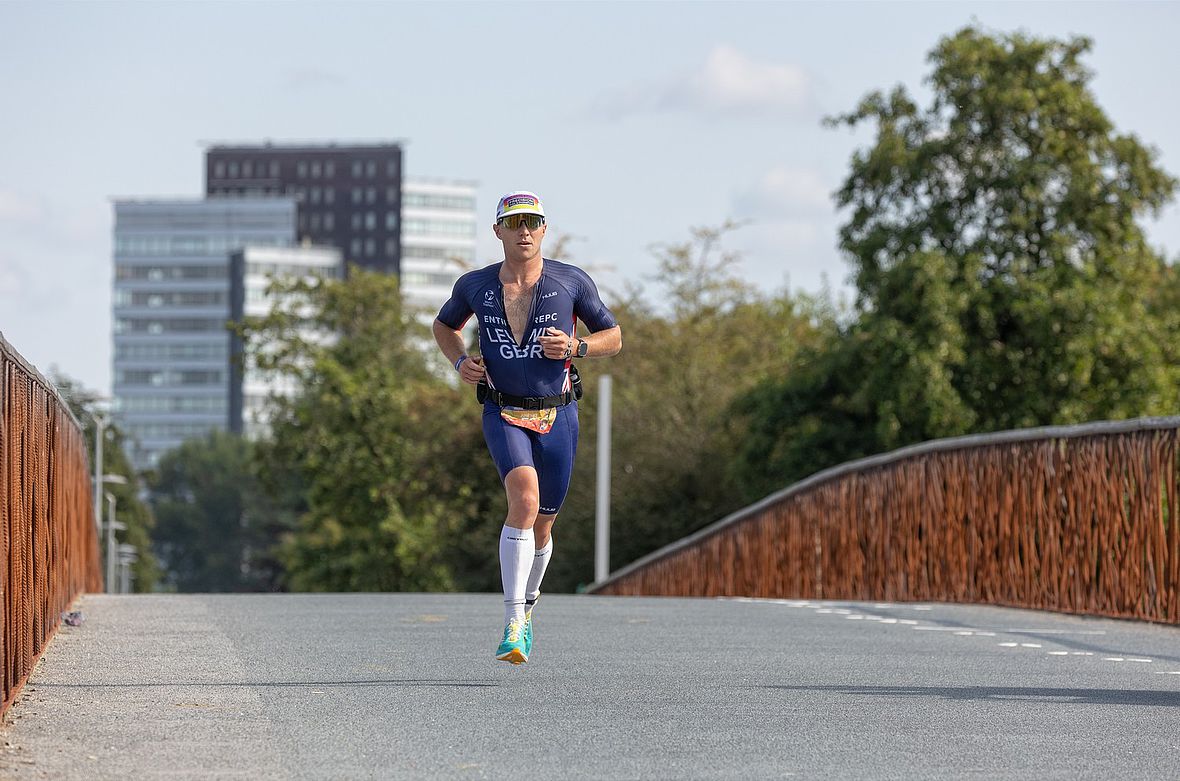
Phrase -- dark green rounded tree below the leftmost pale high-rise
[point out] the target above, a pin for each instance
(215, 528)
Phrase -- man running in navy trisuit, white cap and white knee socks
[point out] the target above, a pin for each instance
(528, 309)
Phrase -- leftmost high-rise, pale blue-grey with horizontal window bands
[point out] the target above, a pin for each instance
(172, 306)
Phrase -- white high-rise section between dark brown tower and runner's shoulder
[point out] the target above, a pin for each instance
(438, 240)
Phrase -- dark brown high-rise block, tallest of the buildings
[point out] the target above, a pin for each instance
(350, 196)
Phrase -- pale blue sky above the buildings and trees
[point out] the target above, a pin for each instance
(635, 122)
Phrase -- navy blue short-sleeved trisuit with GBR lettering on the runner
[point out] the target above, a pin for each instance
(563, 296)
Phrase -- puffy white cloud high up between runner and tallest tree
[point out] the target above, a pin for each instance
(727, 84)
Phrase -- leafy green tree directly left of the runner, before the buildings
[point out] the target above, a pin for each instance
(379, 447)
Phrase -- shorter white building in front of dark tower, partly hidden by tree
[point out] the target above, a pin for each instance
(252, 271)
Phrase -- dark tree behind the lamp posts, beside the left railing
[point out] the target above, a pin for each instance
(133, 513)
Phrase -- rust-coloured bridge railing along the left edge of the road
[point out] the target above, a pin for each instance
(49, 546)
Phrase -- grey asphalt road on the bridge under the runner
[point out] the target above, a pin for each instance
(405, 687)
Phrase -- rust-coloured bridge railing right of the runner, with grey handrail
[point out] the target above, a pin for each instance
(1078, 520)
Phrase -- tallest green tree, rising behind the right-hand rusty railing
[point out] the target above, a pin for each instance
(1002, 277)
